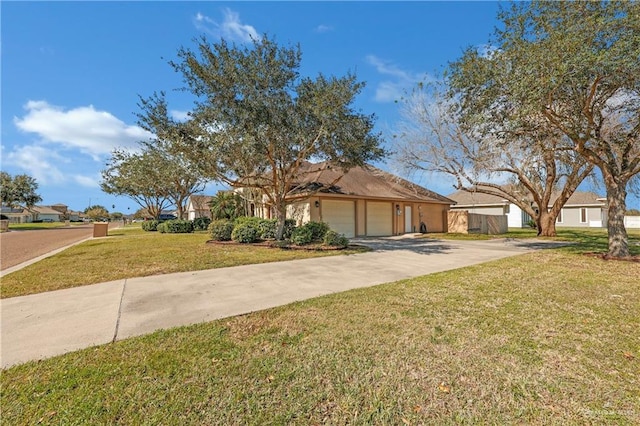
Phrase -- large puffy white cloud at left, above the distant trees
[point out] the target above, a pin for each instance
(86, 129)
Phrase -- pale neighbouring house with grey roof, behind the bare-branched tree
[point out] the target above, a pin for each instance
(583, 209)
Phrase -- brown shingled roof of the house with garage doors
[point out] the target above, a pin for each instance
(367, 181)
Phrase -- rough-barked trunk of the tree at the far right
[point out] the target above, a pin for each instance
(618, 239)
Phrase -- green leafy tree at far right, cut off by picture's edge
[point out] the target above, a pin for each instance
(573, 66)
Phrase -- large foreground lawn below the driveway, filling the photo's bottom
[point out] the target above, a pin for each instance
(544, 338)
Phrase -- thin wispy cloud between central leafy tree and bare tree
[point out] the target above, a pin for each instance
(392, 89)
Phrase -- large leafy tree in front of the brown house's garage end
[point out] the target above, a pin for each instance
(257, 120)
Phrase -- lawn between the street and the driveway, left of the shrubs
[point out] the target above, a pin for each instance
(131, 252)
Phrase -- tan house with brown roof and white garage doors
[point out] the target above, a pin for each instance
(366, 201)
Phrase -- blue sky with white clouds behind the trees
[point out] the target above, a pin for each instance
(72, 71)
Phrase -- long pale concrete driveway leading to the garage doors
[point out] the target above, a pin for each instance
(48, 324)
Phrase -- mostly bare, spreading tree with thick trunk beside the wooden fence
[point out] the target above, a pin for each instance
(539, 171)
